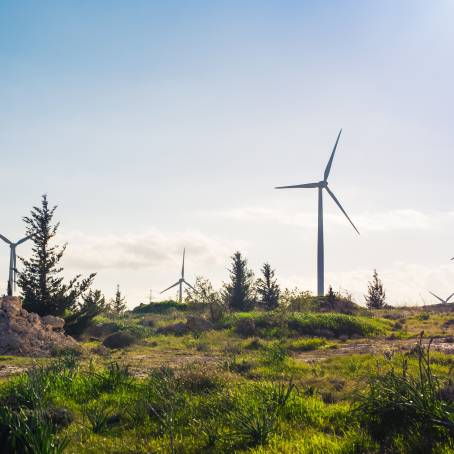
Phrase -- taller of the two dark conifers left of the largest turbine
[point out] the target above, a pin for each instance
(239, 292)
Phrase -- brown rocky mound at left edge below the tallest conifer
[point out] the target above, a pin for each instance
(28, 334)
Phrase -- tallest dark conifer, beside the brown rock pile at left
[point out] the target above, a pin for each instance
(43, 289)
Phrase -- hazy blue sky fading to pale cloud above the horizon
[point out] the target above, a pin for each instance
(158, 125)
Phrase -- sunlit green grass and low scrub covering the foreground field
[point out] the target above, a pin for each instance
(297, 385)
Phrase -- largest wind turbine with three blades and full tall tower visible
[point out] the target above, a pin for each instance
(323, 184)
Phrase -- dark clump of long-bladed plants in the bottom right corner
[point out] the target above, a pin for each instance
(401, 405)
